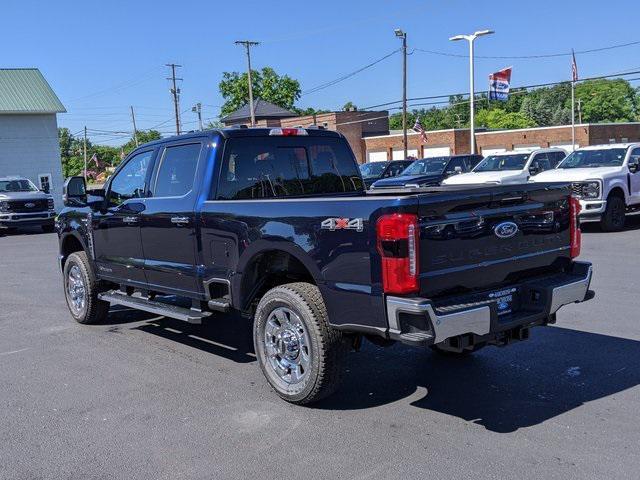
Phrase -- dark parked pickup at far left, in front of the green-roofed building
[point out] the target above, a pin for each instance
(22, 204)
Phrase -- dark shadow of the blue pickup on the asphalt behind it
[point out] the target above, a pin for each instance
(503, 390)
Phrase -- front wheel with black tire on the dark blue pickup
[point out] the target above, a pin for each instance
(92, 310)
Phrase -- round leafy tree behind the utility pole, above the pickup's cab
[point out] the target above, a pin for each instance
(280, 90)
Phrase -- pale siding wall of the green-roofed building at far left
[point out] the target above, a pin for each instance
(29, 147)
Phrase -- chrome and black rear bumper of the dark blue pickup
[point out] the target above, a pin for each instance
(420, 321)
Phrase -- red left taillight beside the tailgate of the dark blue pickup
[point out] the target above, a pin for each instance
(398, 241)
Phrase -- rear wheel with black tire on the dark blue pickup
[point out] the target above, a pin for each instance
(325, 351)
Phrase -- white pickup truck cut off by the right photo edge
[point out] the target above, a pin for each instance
(606, 179)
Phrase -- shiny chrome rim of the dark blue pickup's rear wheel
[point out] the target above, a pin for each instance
(287, 346)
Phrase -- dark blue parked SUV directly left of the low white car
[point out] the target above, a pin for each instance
(430, 171)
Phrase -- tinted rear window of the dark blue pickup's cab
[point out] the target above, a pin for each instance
(266, 167)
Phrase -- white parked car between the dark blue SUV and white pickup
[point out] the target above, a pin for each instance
(510, 168)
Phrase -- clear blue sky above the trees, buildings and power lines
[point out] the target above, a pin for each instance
(103, 56)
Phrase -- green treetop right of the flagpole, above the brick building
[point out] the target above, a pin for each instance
(607, 101)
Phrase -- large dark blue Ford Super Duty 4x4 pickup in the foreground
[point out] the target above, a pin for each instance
(276, 224)
